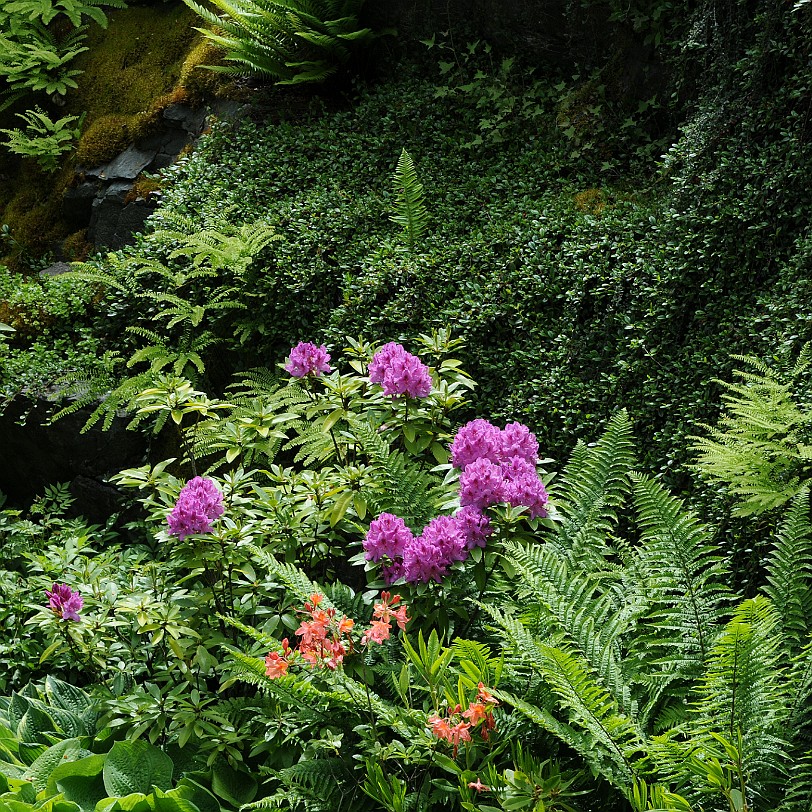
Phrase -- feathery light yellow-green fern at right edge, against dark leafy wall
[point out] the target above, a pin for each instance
(762, 447)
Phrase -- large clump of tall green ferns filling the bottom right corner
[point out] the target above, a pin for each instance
(642, 660)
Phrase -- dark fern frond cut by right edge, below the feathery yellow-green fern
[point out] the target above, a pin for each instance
(789, 573)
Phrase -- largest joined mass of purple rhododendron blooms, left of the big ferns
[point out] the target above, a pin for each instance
(498, 466)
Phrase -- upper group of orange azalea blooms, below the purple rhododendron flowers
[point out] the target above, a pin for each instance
(325, 639)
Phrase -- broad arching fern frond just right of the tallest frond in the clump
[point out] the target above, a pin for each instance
(684, 577)
